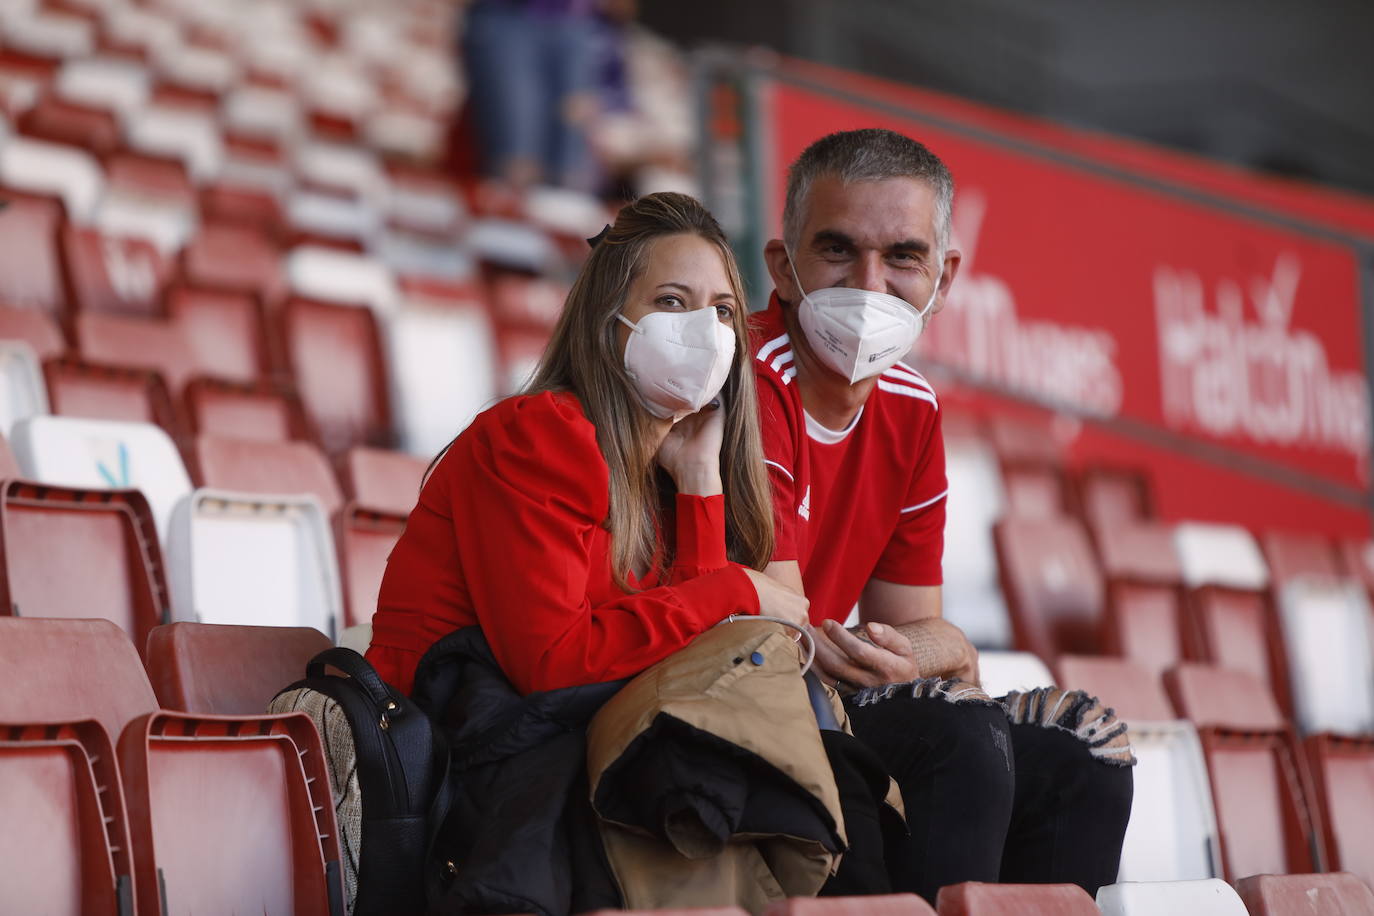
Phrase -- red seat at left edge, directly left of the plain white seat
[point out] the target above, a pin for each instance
(78, 554)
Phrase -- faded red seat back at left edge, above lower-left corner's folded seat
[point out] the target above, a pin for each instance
(64, 671)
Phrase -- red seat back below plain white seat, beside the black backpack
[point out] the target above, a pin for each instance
(227, 671)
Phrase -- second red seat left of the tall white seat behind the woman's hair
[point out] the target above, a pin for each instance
(225, 333)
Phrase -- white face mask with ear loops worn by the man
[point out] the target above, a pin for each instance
(858, 333)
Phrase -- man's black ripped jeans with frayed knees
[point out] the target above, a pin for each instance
(986, 801)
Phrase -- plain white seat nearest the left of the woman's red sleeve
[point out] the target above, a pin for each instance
(254, 560)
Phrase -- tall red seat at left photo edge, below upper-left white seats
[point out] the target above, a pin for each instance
(31, 266)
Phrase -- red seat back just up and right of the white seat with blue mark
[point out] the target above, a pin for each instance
(258, 411)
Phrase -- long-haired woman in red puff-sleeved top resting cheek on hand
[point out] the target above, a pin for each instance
(602, 520)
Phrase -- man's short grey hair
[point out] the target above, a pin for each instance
(872, 154)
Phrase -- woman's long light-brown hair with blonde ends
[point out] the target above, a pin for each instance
(585, 358)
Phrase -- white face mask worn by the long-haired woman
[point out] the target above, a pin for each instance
(679, 360)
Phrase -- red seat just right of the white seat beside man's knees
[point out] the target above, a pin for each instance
(1259, 781)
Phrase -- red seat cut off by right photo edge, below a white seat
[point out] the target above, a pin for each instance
(1343, 778)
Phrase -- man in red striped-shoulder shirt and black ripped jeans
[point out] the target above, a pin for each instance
(1031, 789)
